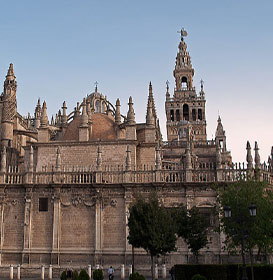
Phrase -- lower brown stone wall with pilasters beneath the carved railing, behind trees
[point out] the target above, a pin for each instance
(86, 224)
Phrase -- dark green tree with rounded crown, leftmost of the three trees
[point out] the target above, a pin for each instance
(151, 227)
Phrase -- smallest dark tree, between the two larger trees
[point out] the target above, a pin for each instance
(192, 227)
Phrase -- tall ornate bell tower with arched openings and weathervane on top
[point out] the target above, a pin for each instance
(185, 111)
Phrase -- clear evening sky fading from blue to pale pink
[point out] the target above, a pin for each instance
(61, 48)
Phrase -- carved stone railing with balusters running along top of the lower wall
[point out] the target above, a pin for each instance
(82, 176)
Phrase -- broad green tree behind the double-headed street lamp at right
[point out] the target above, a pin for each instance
(256, 231)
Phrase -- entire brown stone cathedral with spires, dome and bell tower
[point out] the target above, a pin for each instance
(66, 184)
